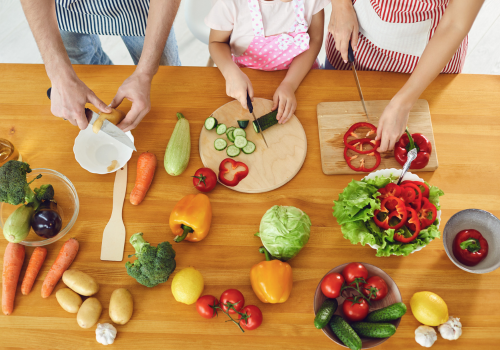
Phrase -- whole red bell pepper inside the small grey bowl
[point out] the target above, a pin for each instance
(470, 247)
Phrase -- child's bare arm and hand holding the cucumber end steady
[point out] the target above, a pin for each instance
(284, 97)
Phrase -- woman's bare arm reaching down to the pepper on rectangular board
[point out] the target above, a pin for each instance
(451, 31)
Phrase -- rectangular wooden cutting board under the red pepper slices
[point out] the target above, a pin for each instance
(335, 118)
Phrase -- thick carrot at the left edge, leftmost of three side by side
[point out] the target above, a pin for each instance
(13, 260)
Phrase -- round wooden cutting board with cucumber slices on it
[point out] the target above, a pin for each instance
(269, 168)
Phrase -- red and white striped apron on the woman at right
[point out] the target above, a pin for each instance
(393, 34)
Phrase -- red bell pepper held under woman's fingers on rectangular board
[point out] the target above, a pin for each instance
(408, 142)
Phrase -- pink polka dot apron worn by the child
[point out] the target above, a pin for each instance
(278, 51)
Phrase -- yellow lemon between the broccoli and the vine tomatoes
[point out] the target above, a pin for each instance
(187, 285)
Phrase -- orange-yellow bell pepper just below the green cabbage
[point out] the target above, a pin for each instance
(271, 279)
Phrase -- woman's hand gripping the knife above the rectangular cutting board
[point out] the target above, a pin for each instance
(344, 26)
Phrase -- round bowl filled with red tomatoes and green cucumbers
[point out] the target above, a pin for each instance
(356, 314)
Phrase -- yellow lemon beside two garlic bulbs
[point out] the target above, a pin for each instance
(429, 308)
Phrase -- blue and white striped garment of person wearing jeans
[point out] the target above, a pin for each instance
(103, 17)
